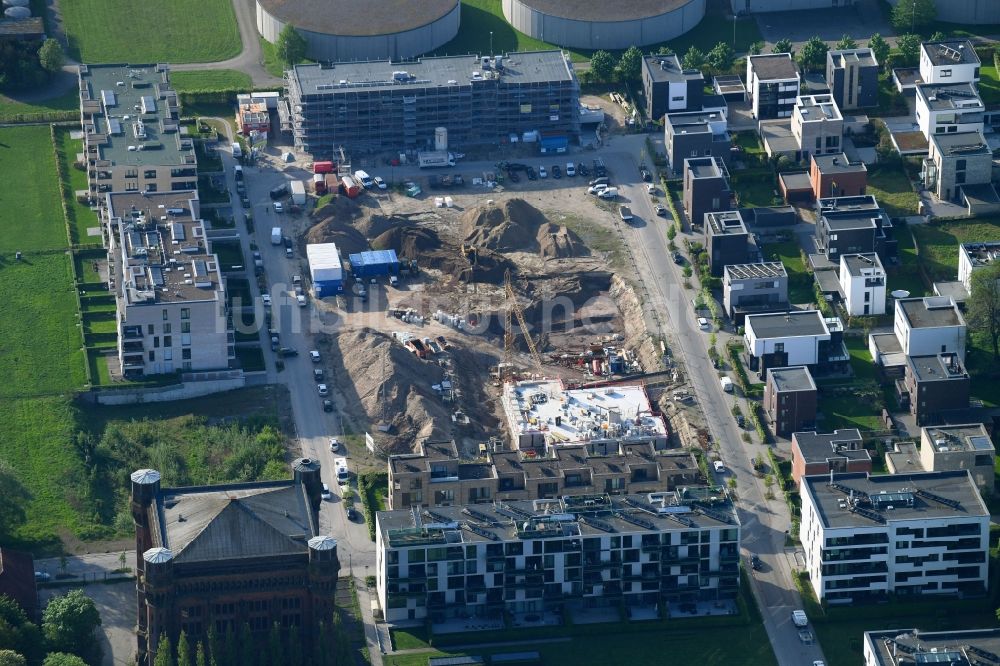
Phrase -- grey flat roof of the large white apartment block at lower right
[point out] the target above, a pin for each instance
(916, 496)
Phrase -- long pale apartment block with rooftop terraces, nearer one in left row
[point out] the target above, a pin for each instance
(168, 288)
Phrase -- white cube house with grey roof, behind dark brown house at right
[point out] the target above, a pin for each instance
(918, 337)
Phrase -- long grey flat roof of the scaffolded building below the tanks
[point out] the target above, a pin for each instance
(521, 68)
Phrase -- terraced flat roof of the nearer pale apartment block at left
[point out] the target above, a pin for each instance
(162, 251)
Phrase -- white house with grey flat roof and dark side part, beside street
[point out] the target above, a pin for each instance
(801, 337)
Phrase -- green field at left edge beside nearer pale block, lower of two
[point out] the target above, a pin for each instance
(42, 349)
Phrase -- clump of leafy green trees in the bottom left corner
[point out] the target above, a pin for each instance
(66, 637)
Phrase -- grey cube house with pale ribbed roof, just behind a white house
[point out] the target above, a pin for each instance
(754, 288)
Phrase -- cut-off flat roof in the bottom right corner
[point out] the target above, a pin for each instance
(893, 647)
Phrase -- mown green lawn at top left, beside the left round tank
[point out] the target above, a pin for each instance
(105, 31)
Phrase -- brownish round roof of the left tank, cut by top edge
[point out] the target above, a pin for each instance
(351, 19)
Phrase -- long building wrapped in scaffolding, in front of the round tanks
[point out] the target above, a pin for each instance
(370, 106)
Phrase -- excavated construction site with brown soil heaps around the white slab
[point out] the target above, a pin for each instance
(493, 289)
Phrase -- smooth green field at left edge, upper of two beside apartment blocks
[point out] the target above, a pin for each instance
(31, 217)
